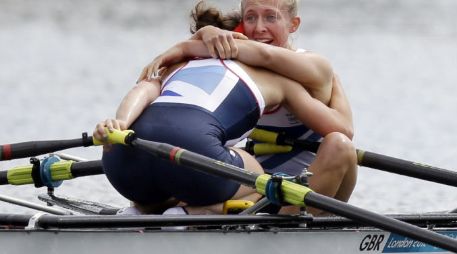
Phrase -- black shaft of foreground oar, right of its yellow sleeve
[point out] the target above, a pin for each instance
(379, 221)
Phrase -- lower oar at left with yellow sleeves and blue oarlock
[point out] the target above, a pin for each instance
(55, 171)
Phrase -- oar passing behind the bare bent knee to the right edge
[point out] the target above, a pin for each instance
(278, 143)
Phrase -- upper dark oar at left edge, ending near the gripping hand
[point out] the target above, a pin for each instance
(34, 148)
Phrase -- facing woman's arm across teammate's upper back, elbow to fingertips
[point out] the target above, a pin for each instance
(309, 69)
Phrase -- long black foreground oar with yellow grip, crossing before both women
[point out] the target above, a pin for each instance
(293, 193)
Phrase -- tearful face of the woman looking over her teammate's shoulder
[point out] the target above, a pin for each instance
(267, 21)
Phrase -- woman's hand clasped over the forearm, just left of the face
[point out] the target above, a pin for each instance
(220, 43)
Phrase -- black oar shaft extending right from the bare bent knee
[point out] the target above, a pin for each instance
(407, 168)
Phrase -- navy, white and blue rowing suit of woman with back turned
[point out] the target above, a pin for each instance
(202, 107)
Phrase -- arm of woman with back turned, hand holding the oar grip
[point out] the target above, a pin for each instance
(132, 105)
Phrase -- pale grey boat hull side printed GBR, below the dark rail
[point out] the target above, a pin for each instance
(211, 241)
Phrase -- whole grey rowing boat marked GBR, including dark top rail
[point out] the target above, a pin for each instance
(43, 233)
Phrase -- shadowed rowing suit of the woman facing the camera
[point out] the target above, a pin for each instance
(292, 163)
